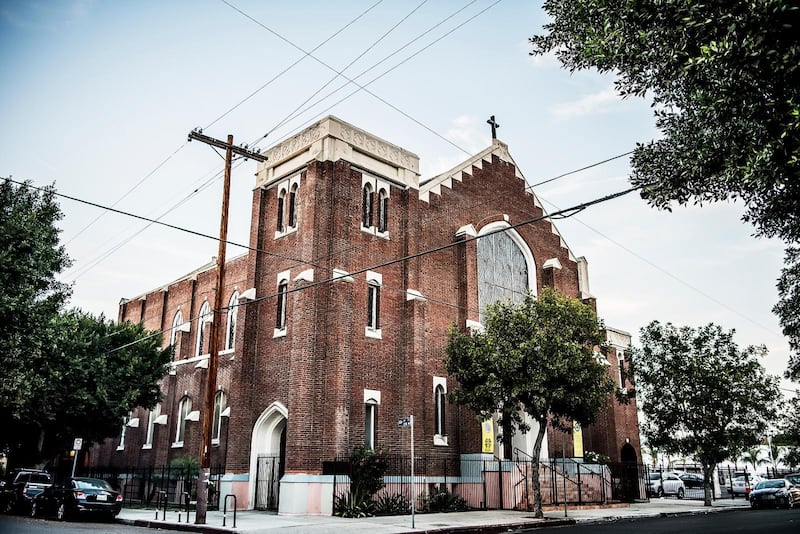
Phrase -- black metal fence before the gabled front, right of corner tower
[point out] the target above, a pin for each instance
(493, 483)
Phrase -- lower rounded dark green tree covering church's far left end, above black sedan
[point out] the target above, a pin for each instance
(94, 372)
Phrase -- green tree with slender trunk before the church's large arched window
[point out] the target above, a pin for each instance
(535, 357)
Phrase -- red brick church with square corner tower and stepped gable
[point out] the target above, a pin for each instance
(338, 315)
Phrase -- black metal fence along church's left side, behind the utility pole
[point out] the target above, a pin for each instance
(144, 485)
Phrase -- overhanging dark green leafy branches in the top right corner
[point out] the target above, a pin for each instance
(724, 78)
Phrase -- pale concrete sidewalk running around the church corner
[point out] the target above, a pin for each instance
(255, 522)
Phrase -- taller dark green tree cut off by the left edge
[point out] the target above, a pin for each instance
(30, 295)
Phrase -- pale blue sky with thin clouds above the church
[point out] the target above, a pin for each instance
(98, 97)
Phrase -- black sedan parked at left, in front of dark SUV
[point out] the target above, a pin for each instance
(77, 496)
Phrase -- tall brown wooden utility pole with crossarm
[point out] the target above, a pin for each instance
(217, 329)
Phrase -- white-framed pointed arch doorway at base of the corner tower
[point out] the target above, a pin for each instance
(268, 458)
